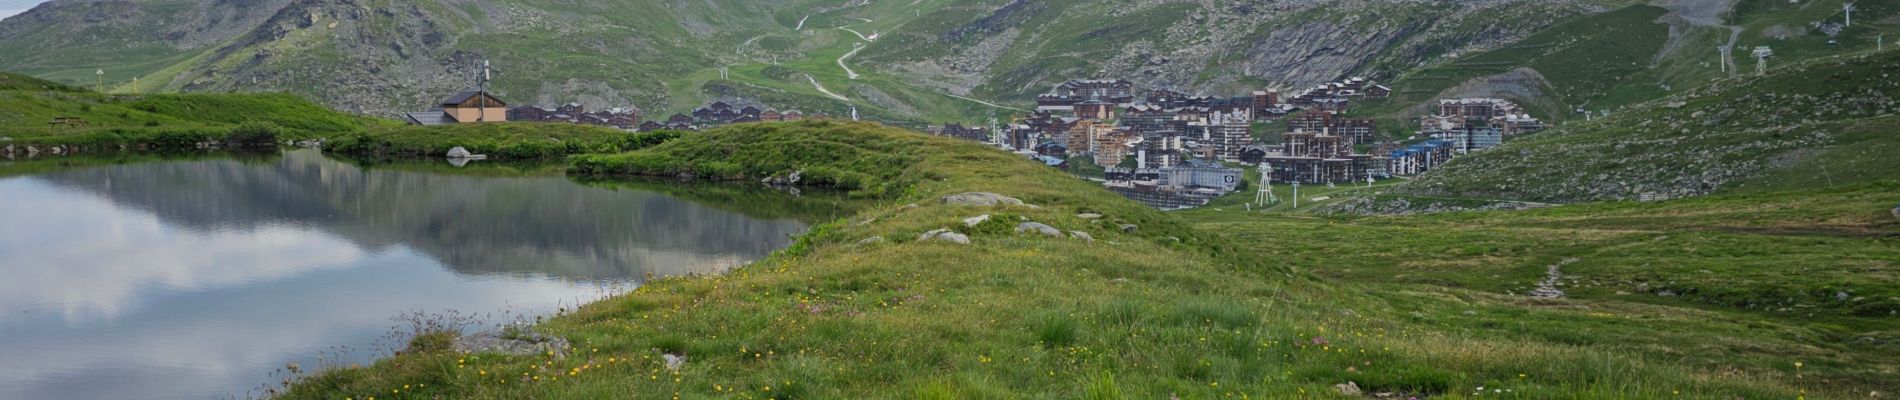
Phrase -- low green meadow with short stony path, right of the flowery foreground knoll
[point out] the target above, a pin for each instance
(1736, 283)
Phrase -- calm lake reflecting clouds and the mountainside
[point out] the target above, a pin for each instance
(195, 280)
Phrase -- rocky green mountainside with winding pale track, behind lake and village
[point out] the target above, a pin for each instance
(385, 58)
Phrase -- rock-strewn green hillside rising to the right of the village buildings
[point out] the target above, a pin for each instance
(1812, 126)
